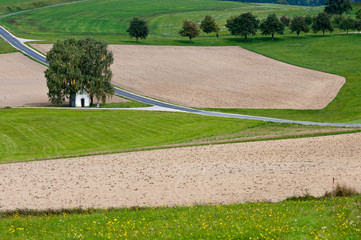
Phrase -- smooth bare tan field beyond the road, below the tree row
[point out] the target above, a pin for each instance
(219, 77)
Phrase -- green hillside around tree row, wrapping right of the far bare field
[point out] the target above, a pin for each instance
(109, 19)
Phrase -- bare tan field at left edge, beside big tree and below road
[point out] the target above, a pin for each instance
(22, 82)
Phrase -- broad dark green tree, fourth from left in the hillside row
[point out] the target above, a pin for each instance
(243, 25)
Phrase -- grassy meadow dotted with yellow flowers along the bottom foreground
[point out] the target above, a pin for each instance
(334, 218)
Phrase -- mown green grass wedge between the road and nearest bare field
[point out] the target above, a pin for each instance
(28, 134)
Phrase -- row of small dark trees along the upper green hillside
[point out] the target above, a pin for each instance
(247, 24)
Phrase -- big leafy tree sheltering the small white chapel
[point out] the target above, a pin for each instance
(76, 64)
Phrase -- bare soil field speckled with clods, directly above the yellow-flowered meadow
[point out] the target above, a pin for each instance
(270, 170)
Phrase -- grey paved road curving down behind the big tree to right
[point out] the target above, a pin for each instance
(18, 44)
